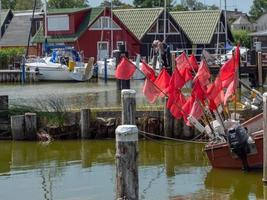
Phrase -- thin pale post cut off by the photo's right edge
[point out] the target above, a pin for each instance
(264, 179)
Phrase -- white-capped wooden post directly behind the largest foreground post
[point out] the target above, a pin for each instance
(128, 106)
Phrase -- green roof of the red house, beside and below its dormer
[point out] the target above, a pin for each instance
(88, 19)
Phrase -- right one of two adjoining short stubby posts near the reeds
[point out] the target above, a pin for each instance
(30, 126)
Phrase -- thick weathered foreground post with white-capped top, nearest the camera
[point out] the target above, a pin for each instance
(126, 162)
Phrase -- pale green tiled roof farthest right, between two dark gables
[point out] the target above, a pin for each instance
(199, 26)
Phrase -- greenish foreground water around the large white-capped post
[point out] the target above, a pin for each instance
(85, 170)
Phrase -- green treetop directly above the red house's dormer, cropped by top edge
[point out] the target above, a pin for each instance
(67, 3)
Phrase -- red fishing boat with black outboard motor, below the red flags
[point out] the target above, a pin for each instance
(239, 150)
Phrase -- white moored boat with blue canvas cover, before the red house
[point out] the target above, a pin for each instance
(62, 65)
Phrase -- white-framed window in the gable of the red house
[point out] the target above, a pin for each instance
(105, 23)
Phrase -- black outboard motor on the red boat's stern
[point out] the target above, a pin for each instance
(237, 138)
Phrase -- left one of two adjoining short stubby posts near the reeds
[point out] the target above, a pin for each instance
(17, 127)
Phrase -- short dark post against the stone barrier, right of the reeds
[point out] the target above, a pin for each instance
(85, 123)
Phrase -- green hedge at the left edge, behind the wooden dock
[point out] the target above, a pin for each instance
(10, 56)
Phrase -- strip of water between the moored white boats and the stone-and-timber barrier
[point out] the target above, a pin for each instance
(75, 94)
